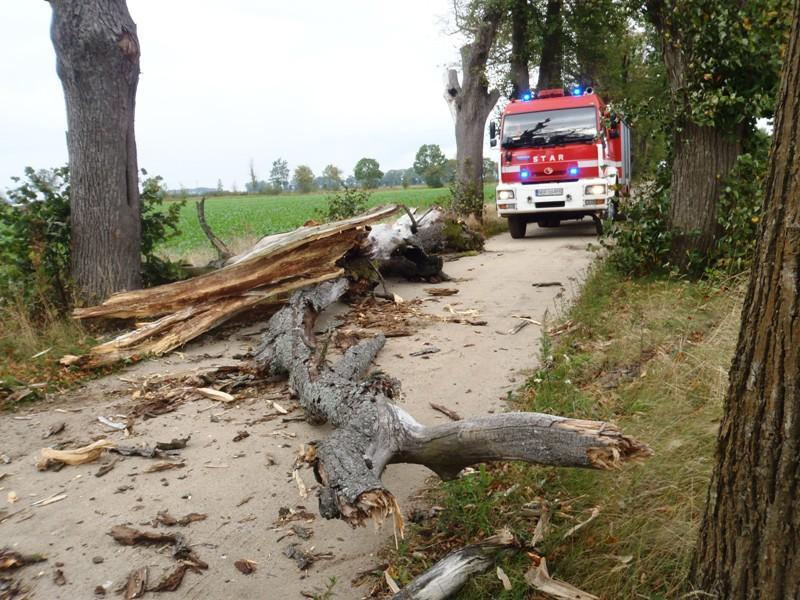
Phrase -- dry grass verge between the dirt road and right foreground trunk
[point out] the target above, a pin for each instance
(650, 355)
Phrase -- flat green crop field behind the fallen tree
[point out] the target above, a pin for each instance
(238, 220)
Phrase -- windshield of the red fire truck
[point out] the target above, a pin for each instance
(550, 127)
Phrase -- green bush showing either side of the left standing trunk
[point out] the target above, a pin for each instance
(35, 240)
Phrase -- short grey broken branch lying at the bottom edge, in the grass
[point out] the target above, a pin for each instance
(450, 574)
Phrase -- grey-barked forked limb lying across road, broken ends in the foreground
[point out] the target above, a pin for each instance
(371, 432)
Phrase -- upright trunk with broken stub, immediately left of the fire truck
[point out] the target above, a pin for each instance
(470, 102)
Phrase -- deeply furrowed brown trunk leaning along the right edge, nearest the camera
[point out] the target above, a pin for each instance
(749, 544)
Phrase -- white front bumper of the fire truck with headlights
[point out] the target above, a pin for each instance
(563, 199)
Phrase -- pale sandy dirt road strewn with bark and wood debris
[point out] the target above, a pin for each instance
(243, 486)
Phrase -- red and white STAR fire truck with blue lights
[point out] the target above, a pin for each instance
(563, 155)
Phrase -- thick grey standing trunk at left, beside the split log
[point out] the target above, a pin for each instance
(97, 59)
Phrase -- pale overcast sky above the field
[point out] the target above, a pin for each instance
(313, 82)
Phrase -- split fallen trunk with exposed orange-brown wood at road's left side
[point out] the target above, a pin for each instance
(264, 275)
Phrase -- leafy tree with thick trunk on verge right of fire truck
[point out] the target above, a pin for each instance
(722, 65)
